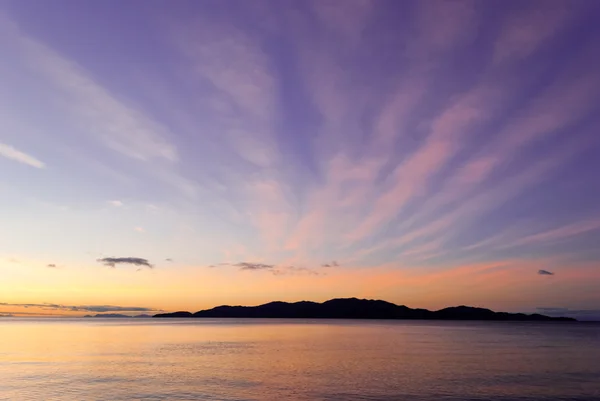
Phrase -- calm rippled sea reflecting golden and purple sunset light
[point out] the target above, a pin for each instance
(146, 359)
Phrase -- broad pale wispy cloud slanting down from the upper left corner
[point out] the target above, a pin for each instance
(100, 114)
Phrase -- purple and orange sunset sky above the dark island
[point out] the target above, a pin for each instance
(161, 156)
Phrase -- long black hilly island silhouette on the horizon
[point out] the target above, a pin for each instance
(354, 308)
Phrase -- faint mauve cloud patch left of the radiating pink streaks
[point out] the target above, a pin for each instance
(246, 89)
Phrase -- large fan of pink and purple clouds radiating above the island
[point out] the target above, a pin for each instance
(404, 166)
